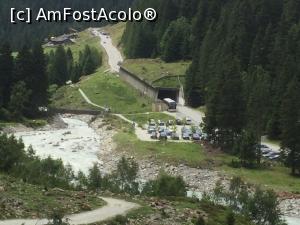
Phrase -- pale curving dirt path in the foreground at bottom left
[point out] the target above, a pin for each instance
(113, 208)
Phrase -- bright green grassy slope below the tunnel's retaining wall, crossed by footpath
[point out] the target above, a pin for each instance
(104, 89)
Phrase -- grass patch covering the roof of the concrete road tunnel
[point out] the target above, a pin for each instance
(153, 69)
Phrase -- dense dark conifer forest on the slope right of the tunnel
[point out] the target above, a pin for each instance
(245, 64)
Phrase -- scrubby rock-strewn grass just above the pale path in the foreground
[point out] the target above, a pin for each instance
(27, 201)
